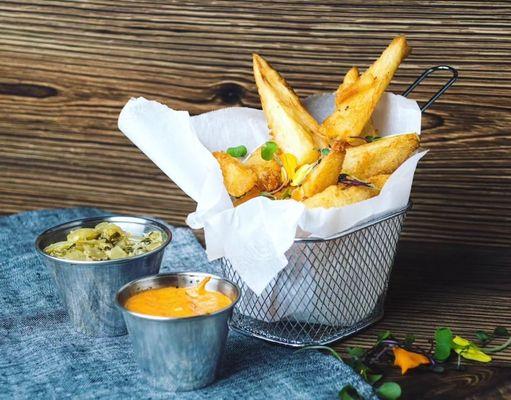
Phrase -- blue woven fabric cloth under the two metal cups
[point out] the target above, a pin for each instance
(42, 357)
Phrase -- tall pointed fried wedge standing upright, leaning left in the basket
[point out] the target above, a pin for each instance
(292, 127)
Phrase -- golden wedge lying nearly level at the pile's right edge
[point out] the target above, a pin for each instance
(381, 156)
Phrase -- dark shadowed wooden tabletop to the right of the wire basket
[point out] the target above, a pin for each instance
(464, 289)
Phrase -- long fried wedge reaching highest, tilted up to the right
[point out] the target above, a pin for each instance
(356, 104)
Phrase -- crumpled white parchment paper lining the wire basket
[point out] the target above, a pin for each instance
(256, 235)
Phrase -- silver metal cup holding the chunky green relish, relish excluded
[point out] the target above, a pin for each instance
(88, 288)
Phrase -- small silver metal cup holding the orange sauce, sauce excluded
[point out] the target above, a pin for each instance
(178, 354)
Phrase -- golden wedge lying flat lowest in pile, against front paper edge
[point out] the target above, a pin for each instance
(340, 195)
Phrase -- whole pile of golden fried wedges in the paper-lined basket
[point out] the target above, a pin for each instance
(338, 162)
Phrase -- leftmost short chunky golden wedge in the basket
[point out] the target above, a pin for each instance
(238, 178)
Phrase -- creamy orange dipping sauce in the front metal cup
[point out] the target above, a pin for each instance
(178, 302)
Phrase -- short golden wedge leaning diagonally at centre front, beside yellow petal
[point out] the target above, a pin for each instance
(324, 175)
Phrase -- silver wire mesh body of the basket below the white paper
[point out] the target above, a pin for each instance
(329, 290)
